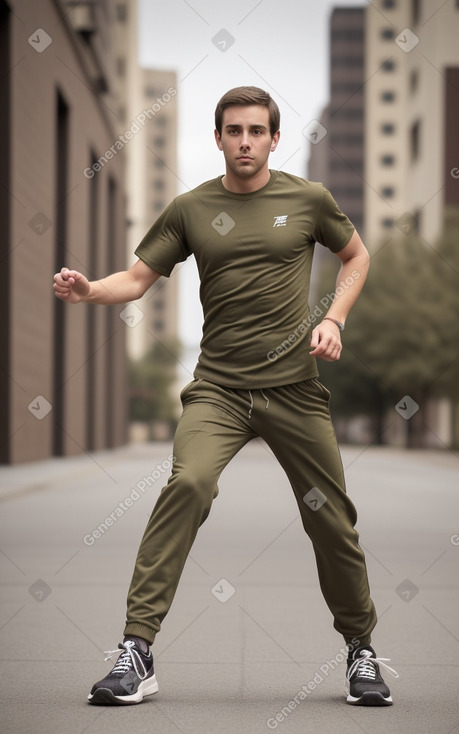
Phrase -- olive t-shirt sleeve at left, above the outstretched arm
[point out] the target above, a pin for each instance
(164, 245)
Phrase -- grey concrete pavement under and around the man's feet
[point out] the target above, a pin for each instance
(248, 629)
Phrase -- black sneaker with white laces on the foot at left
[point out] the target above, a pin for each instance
(132, 678)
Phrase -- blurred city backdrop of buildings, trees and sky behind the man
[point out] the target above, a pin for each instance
(106, 114)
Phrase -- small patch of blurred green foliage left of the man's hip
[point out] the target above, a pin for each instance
(150, 381)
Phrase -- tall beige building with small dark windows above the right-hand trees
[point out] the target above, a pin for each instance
(411, 116)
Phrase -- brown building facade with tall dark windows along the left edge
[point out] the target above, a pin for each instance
(63, 372)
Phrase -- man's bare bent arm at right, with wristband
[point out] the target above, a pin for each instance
(355, 261)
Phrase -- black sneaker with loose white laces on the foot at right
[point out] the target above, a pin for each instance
(365, 686)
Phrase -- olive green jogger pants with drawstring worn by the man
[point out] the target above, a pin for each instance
(216, 423)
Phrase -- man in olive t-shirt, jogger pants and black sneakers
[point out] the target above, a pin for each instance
(252, 232)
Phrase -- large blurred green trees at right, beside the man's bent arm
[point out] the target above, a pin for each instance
(402, 336)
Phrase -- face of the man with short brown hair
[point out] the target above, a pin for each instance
(246, 141)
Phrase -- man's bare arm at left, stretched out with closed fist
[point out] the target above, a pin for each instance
(128, 285)
